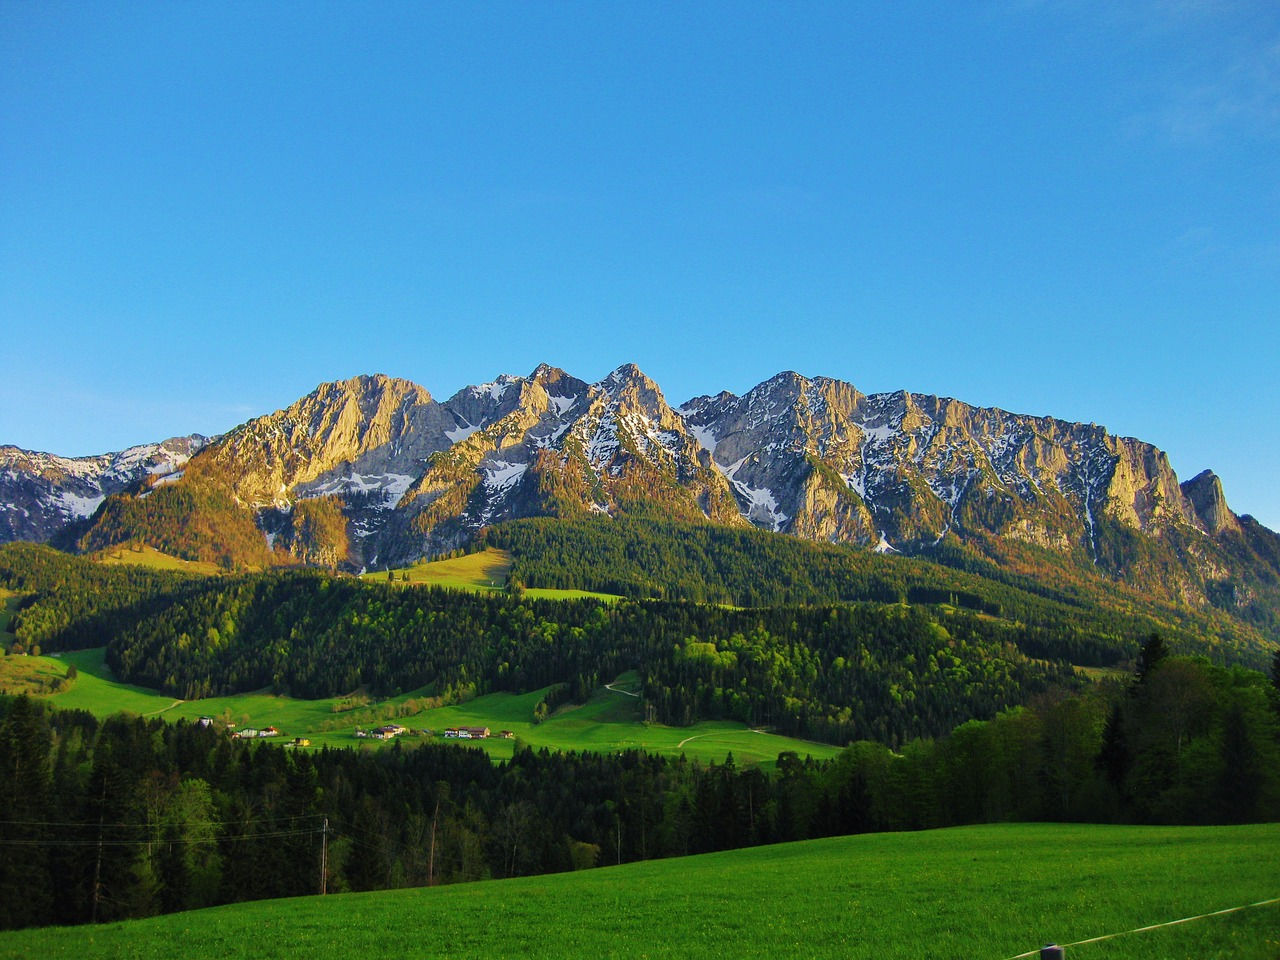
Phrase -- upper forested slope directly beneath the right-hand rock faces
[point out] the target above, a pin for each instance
(711, 564)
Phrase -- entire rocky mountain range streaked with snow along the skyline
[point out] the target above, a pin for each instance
(373, 472)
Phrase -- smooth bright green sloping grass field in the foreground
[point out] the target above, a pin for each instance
(962, 894)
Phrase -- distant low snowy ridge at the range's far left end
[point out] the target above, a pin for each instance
(42, 493)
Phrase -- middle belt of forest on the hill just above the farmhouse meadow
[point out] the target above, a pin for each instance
(836, 674)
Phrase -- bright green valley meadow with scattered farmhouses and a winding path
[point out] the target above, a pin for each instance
(609, 723)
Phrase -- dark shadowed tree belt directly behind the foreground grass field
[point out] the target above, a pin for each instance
(132, 817)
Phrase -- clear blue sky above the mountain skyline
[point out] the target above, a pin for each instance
(1055, 208)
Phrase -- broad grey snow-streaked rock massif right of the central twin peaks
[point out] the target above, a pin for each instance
(821, 460)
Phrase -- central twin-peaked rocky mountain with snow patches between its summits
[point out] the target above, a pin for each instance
(552, 445)
